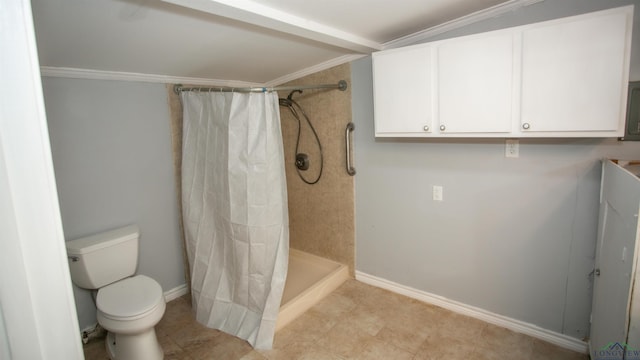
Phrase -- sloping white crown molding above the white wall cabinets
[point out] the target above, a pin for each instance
(477, 16)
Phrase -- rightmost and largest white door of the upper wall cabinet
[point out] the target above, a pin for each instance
(574, 75)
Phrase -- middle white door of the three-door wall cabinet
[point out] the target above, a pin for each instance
(475, 80)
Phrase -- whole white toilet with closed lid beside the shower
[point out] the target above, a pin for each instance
(128, 306)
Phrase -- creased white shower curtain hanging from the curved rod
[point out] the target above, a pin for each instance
(234, 200)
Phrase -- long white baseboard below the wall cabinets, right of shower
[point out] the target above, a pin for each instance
(522, 327)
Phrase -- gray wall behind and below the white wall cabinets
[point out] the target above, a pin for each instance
(513, 236)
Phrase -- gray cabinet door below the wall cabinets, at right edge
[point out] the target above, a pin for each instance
(617, 231)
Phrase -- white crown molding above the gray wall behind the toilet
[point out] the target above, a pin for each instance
(75, 73)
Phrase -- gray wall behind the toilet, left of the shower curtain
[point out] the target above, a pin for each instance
(111, 148)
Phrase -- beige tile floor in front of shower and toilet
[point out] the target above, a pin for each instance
(357, 321)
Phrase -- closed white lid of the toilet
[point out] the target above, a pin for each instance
(129, 297)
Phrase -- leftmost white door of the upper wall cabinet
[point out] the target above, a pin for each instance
(402, 91)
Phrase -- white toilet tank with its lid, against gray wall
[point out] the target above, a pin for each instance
(104, 258)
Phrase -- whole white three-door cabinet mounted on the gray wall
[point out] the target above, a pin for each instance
(562, 78)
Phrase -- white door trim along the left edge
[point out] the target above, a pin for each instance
(37, 312)
